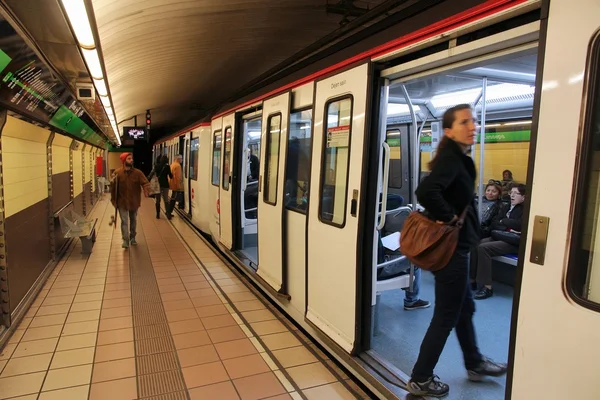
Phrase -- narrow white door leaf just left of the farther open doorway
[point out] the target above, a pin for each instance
(225, 198)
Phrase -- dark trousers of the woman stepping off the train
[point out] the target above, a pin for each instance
(454, 308)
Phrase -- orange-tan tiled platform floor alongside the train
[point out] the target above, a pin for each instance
(166, 319)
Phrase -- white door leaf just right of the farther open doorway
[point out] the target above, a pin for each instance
(271, 189)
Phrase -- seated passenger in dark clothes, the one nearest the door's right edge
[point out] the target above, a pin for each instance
(505, 236)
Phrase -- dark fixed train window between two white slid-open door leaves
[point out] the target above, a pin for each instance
(297, 169)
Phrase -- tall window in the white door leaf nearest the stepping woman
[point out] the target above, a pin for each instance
(336, 162)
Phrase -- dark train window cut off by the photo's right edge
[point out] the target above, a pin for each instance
(584, 263)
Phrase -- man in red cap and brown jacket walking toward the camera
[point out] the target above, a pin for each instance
(128, 198)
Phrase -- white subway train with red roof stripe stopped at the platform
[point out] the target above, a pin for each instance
(301, 184)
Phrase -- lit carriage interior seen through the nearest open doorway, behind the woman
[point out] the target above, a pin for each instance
(501, 92)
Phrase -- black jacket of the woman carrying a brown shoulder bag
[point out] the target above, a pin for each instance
(448, 190)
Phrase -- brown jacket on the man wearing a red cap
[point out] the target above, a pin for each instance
(129, 195)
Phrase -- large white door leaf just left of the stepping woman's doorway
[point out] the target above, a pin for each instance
(333, 223)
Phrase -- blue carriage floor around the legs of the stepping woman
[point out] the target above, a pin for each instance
(401, 332)
